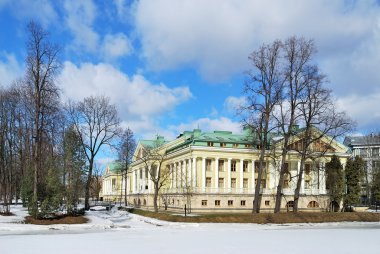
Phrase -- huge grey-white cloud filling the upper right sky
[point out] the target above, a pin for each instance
(216, 36)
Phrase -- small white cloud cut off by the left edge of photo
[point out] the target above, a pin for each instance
(10, 69)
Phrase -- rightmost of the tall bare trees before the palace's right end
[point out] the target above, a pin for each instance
(320, 119)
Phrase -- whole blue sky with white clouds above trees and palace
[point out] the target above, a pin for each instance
(174, 65)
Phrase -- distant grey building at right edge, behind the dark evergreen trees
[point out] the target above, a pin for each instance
(367, 147)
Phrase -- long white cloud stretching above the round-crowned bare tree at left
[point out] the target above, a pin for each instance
(140, 102)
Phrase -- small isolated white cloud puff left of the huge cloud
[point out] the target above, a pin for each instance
(116, 45)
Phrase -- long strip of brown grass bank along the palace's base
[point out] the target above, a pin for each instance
(264, 218)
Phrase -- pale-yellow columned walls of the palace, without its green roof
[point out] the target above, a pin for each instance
(222, 179)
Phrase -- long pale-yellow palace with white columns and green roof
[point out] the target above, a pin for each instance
(217, 172)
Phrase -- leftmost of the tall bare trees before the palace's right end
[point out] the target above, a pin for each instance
(262, 91)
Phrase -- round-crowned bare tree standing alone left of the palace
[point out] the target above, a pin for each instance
(97, 122)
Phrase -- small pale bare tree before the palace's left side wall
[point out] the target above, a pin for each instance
(153, 157)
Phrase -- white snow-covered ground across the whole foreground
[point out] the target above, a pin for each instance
(120, 232)
